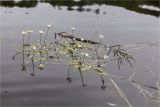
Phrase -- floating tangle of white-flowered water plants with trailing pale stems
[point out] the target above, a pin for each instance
(80, 54)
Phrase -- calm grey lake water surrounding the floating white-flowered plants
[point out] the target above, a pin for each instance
(124, 22)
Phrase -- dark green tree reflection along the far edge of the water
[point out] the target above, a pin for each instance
(133, 5)
